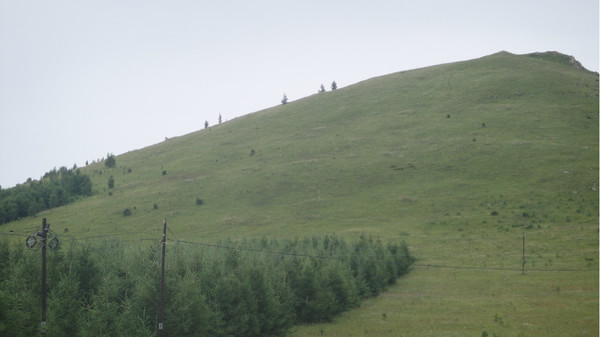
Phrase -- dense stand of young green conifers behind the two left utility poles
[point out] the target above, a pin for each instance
(248, 288)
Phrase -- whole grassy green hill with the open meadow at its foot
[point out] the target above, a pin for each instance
(458, 160)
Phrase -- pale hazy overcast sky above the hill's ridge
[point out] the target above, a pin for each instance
(79, 79)
